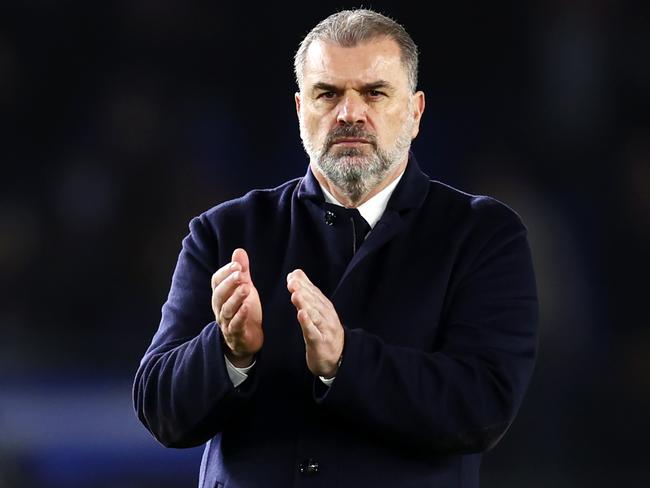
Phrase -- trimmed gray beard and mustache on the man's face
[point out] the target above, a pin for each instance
(352, 170)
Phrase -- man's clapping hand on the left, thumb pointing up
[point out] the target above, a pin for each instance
(237, 309)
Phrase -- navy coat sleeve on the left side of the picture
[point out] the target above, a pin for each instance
(182, 392)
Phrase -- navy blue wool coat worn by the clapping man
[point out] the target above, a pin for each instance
(439, 307)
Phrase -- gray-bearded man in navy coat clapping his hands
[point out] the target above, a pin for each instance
(360, 326)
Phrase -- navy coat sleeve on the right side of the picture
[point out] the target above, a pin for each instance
(462, 396)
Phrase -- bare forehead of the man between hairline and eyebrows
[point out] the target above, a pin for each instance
(377, 59)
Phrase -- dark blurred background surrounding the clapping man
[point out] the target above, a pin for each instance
(120, 121)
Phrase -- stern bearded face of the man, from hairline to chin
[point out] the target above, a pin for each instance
(357, 113)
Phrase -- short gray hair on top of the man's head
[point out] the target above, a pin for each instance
(349, 28)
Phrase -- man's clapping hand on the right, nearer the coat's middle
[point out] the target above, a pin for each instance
(321, 327)
